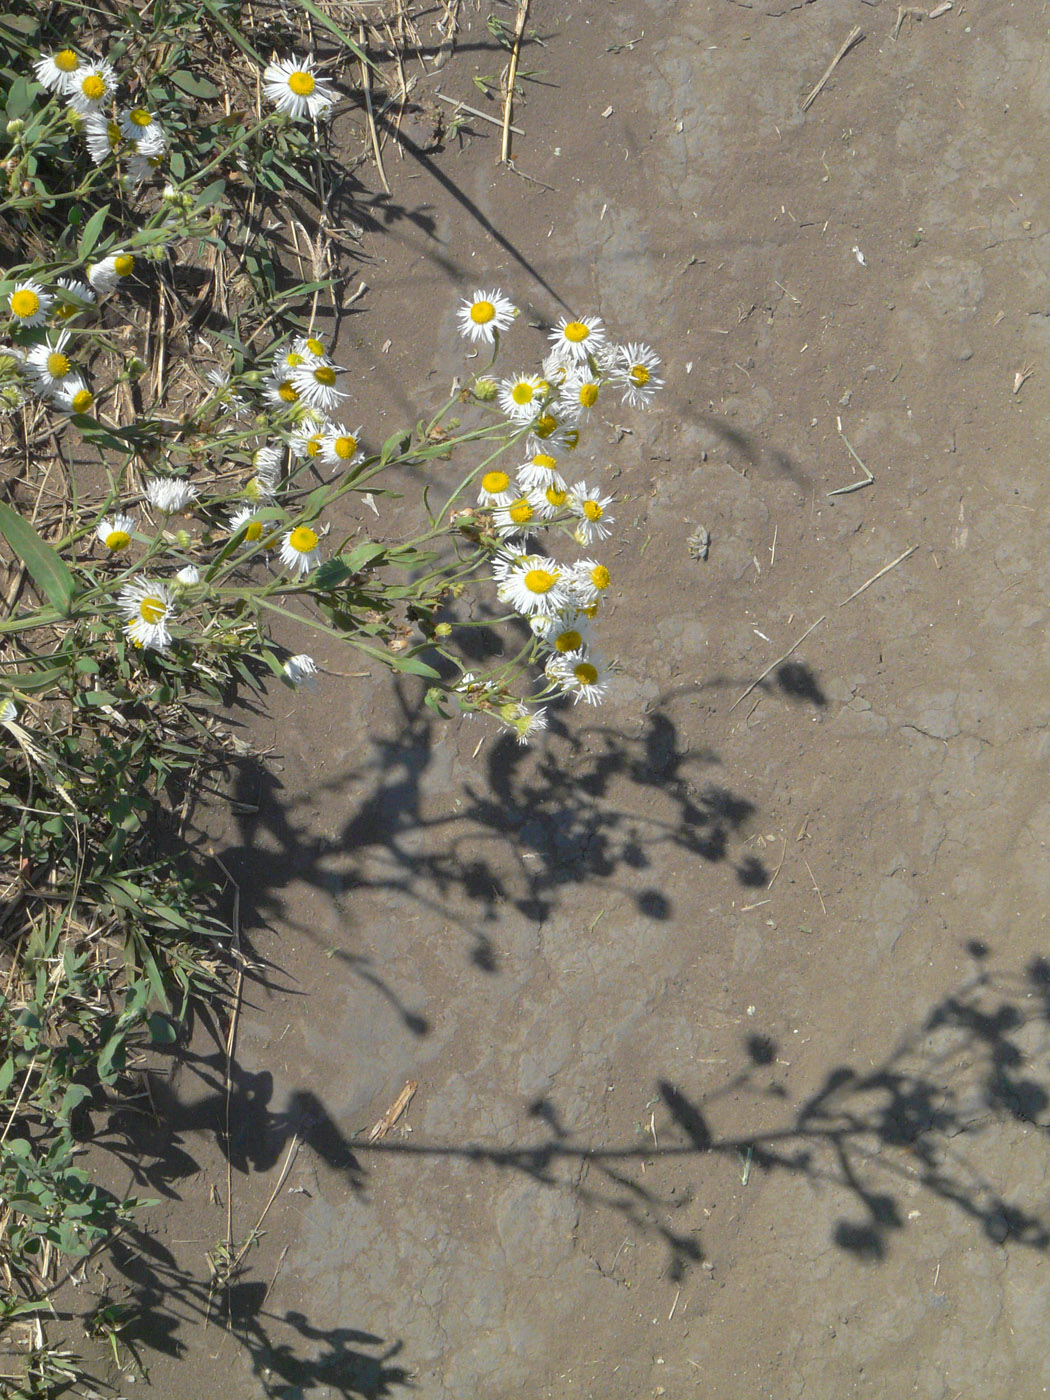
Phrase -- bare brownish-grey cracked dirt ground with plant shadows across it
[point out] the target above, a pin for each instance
(729, 1020)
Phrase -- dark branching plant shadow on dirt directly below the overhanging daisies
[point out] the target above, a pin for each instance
(520, 832)
